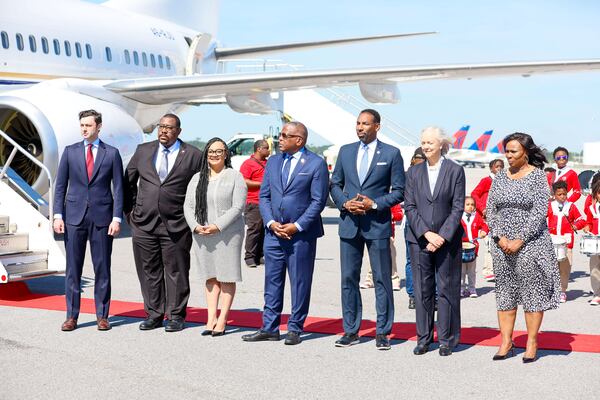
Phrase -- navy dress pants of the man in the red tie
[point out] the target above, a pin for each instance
(76, 237)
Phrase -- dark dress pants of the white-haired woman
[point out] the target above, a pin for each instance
(445, 265)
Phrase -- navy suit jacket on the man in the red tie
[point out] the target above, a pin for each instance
(75, 193)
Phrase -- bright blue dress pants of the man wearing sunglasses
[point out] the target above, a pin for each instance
(297, 256)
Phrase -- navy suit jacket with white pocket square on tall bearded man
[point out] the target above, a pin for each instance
(384, 184)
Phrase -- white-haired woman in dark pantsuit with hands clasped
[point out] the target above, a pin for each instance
(435, 198)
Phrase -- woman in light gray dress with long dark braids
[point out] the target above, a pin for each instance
(214, 202)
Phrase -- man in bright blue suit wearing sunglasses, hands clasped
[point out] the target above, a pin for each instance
(292, 196)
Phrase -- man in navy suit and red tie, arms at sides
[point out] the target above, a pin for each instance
(92, 211)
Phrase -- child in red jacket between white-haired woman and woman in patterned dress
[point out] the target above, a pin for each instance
(474, 229)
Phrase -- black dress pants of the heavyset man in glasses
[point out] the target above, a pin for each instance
(162, 261)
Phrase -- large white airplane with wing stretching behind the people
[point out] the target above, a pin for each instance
(134, 60)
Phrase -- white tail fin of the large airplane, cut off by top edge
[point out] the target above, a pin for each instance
(199, 15)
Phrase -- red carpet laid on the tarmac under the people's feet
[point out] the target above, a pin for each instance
(18, 295)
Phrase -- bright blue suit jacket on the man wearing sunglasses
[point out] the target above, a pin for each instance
(303, 198)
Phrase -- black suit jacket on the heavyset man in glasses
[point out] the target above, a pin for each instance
(150, 201)
